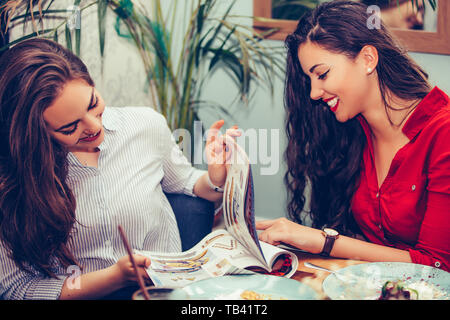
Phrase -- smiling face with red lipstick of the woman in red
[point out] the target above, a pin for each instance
(339, 81)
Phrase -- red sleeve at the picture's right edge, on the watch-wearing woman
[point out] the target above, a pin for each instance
(433, 245)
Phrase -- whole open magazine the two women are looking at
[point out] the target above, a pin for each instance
(236, 250)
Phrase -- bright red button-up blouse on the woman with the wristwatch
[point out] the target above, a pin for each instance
(411, 209)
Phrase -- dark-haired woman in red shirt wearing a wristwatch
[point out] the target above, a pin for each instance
(370, 138)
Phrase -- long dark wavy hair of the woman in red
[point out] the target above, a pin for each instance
(323, 153)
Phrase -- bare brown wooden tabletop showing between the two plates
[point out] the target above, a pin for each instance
(313, 277)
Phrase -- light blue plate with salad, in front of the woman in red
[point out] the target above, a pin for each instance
(369, 278)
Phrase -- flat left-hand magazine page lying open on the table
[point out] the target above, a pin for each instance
(216, 255)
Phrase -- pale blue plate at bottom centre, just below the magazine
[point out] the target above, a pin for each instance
(267, 287)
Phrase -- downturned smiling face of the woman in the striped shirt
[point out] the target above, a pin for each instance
(75, 117)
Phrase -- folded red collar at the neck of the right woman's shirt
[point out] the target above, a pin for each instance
(435, 100)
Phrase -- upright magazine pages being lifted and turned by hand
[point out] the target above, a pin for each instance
(238, 203)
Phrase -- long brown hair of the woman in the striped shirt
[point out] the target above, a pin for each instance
(37, 208)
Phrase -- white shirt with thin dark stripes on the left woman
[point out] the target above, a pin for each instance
(138, 160)
